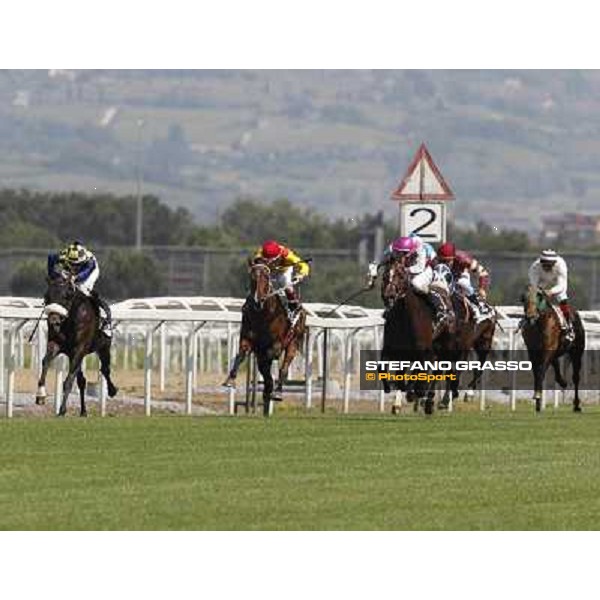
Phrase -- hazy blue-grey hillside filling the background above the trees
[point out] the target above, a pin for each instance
(512, 144)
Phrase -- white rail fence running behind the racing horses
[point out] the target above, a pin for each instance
(197, 336)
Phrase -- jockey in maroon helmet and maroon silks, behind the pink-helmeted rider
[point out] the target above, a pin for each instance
(461, 266)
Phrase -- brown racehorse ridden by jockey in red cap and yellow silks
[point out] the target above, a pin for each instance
(267, 332)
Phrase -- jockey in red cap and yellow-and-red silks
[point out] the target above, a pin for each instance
(287, 271)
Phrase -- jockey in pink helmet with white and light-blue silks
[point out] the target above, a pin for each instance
(420, 256)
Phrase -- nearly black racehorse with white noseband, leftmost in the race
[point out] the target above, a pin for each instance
(74, 330)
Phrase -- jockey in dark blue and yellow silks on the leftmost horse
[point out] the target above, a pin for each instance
(78, 261)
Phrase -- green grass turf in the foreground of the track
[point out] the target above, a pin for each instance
(455, 472)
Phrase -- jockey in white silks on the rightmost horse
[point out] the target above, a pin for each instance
(549, 272)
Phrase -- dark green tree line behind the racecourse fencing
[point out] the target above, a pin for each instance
(48, 220)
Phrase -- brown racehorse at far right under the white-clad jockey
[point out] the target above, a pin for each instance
(543, 336)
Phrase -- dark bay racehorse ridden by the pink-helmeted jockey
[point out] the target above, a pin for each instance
(408, 332)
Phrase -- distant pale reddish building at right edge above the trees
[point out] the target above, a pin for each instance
(571, 229)
